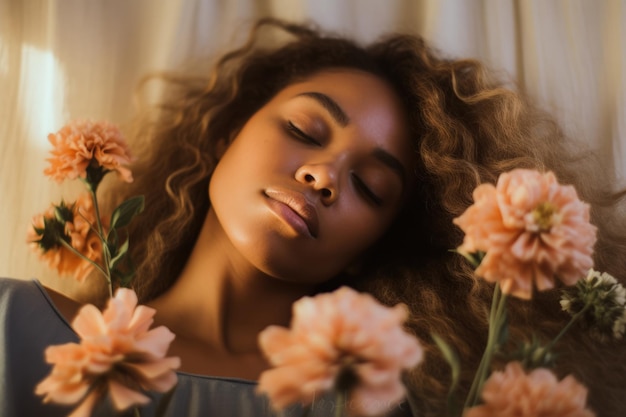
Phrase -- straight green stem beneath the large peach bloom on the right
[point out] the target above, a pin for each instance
(498, 303)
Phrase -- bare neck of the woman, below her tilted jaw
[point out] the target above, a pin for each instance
(222, 301)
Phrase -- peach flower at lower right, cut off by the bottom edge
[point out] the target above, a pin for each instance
(513, 393)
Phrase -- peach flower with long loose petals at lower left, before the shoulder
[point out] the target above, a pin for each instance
(117, 353)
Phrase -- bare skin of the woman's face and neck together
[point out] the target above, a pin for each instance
(255, 254)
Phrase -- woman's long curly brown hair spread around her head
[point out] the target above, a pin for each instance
(466, 127)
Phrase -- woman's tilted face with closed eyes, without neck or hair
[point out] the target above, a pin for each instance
(315, 177)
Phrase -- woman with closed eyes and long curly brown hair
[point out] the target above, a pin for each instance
(298, 168)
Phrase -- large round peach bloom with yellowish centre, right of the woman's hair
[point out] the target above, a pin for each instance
(531, 228)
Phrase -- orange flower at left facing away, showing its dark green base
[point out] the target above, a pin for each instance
(76, 230)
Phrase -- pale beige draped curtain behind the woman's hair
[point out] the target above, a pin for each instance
(79, 59)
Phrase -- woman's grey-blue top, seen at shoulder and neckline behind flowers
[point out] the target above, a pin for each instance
(31, 322)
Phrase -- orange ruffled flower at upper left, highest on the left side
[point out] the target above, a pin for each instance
(80, 144)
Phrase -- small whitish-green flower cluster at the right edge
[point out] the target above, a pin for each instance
(600, 301)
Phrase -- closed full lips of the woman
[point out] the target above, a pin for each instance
(290, 202)
